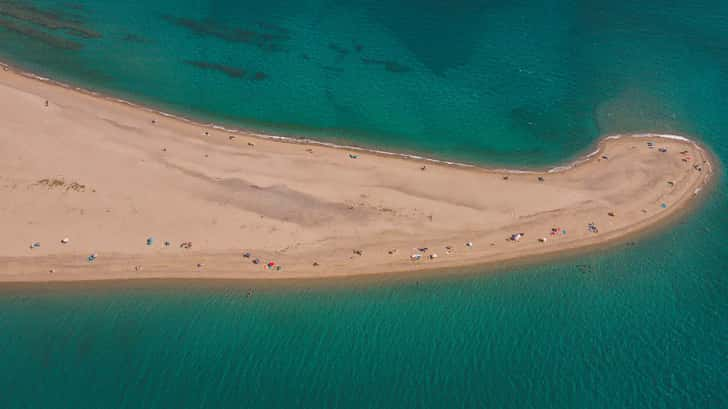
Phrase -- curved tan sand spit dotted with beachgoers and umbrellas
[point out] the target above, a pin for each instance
(93, 189)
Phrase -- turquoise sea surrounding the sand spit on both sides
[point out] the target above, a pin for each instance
(517, 83)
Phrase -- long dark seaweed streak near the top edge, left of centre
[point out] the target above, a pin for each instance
(268, 41)
